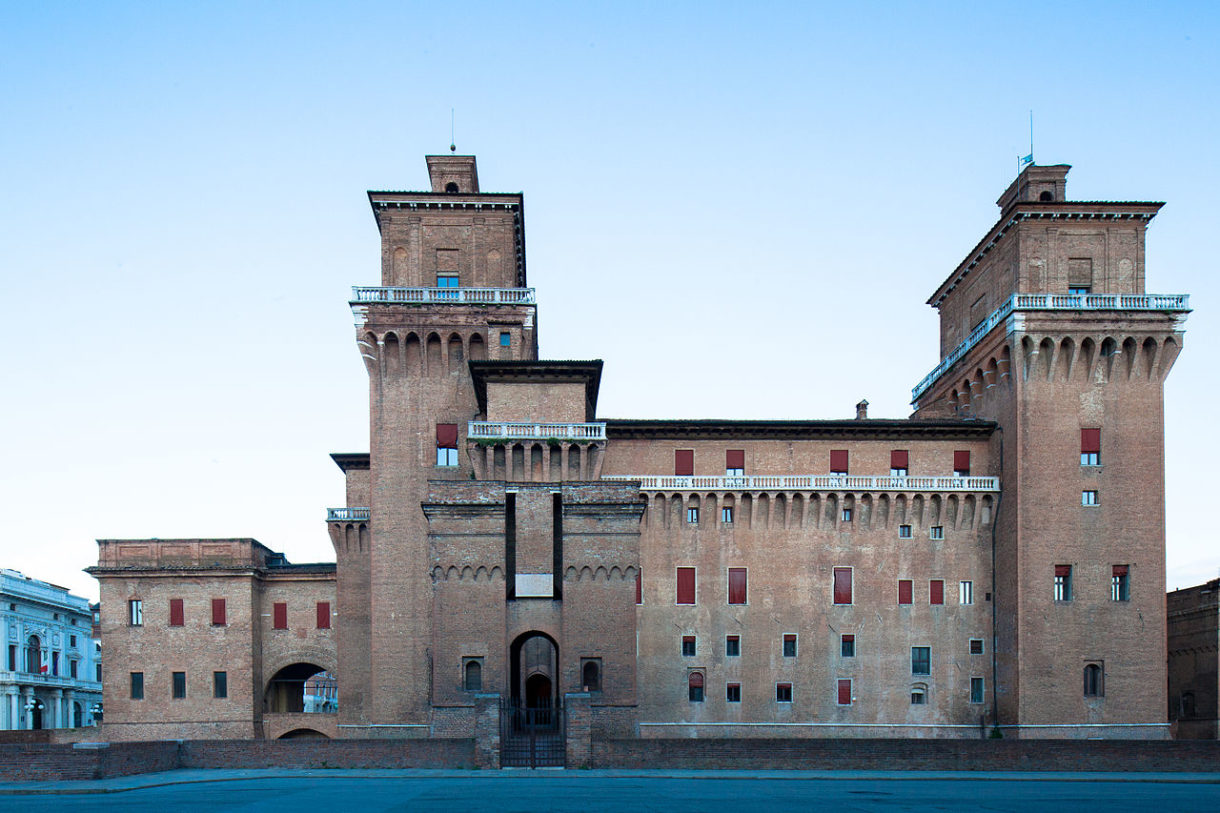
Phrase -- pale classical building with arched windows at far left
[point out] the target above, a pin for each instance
(53, 663)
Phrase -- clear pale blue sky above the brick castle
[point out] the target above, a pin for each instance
(742, 208)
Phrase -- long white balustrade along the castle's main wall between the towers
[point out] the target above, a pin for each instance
(811, 483)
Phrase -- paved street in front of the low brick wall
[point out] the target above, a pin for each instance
(592, 792)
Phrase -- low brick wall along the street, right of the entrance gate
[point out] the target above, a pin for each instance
(910, 755)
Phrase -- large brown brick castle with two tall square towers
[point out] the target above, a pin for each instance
(995, 561)
